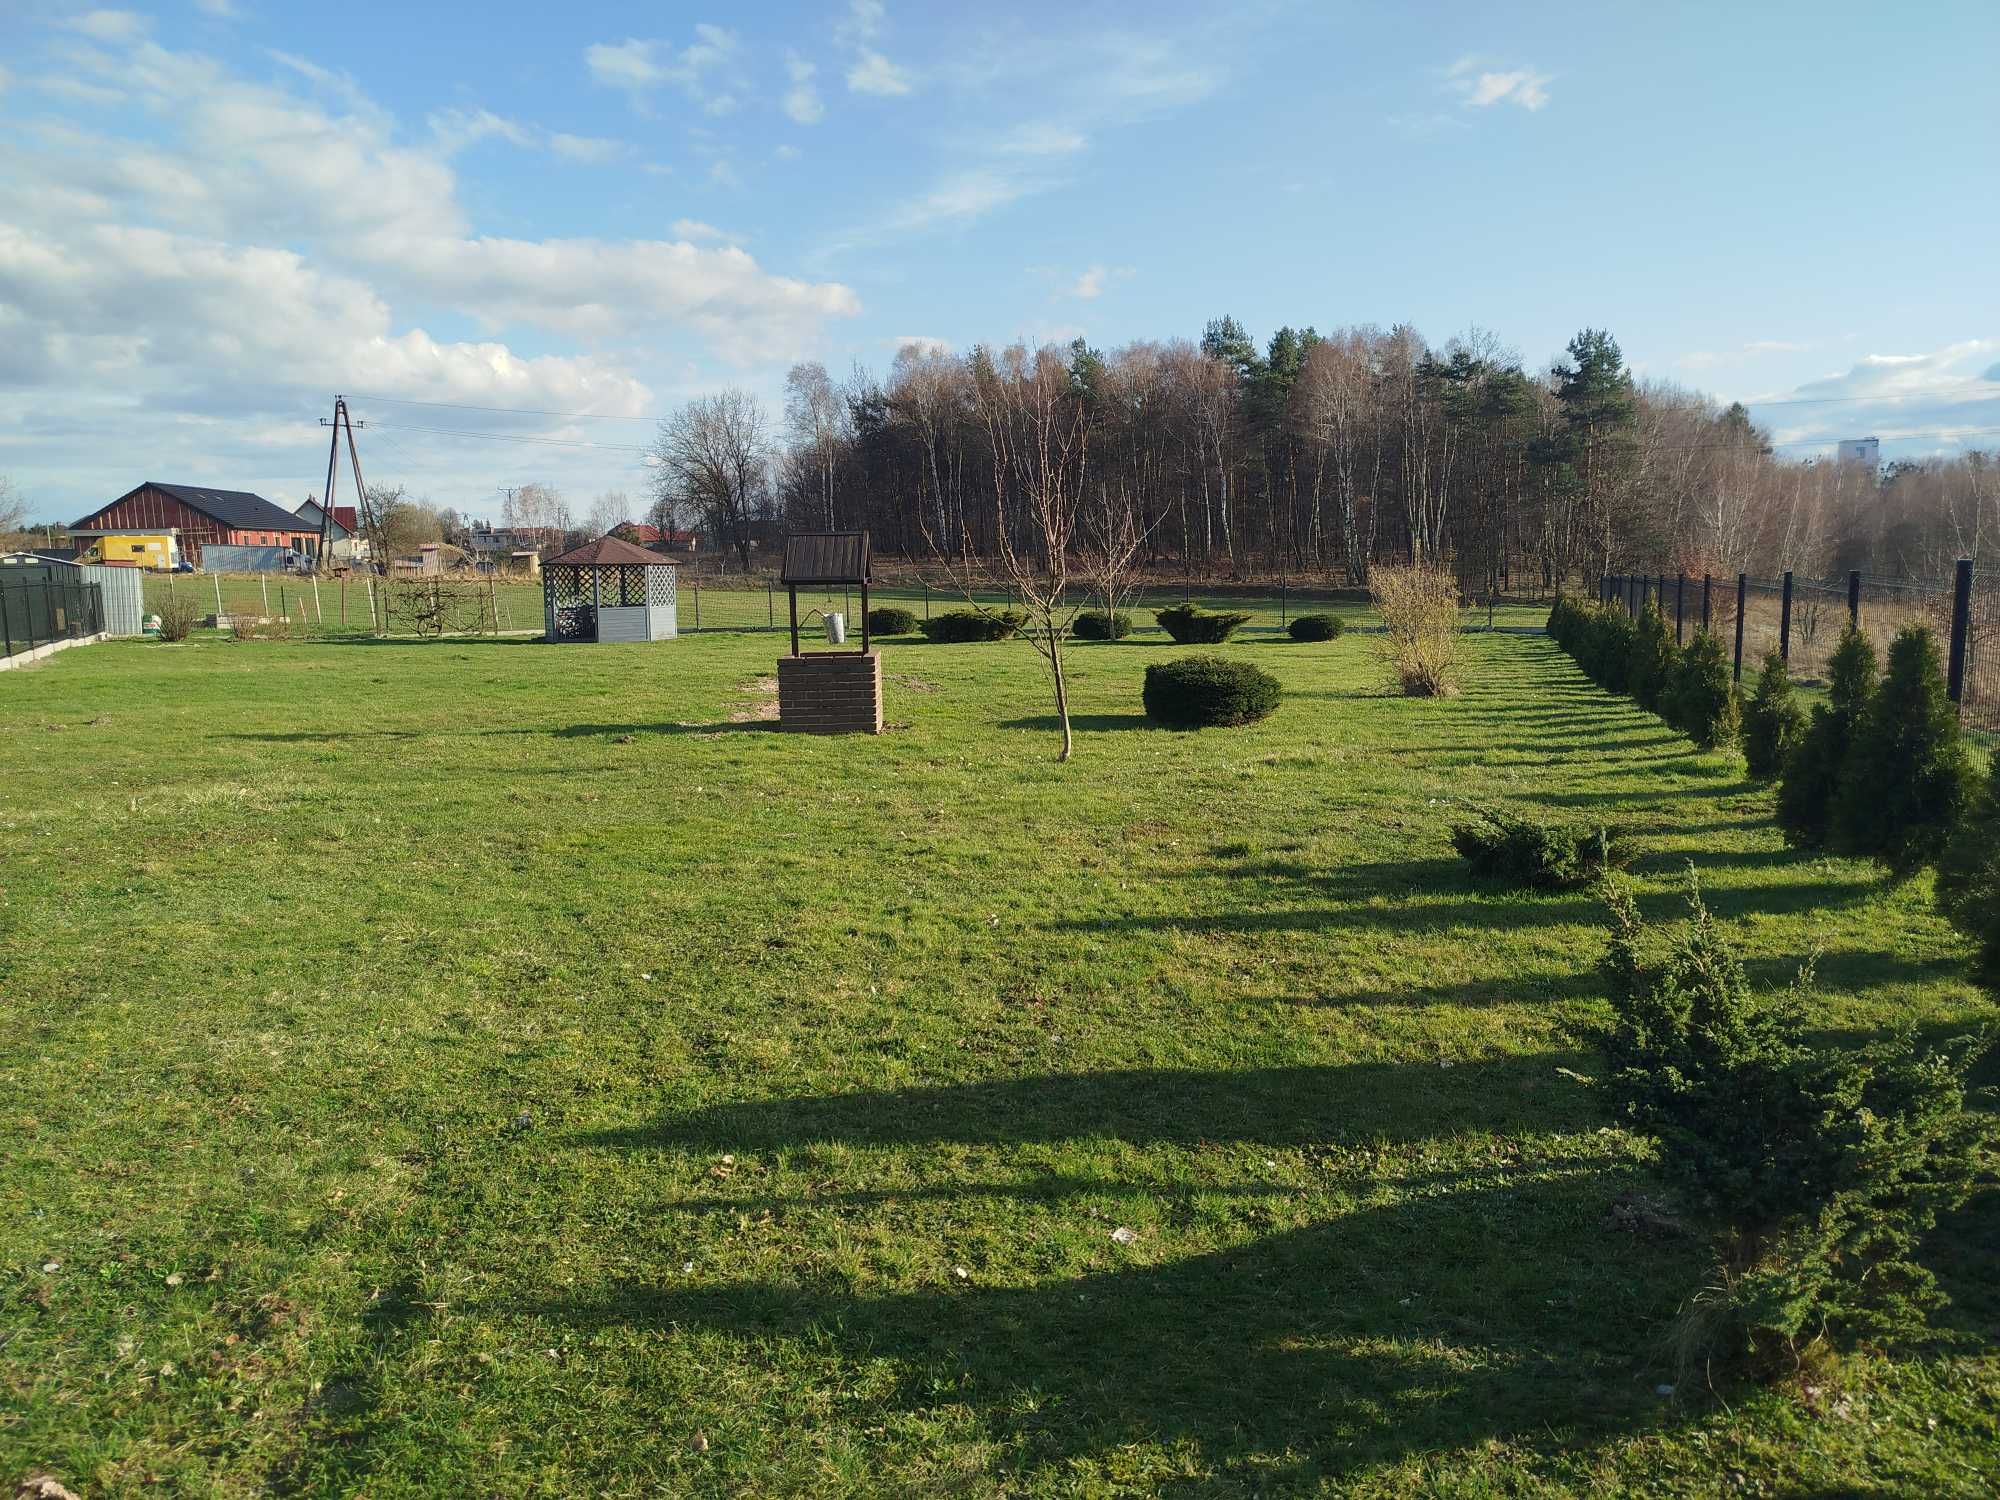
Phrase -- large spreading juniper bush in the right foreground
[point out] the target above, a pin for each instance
(1817, 1169)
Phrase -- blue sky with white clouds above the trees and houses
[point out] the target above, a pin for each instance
(217, 215)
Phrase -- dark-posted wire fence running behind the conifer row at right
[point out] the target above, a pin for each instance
(1803, 621)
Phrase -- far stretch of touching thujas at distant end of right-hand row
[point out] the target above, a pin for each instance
(1687, 687)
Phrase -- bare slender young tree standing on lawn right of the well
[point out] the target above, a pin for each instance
(1037, 429)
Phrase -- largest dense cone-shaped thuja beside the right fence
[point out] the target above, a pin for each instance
(1907, 777)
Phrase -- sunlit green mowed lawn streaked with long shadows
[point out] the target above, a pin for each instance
(487, 1067)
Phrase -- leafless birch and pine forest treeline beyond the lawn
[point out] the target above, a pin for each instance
(1323, 455)
